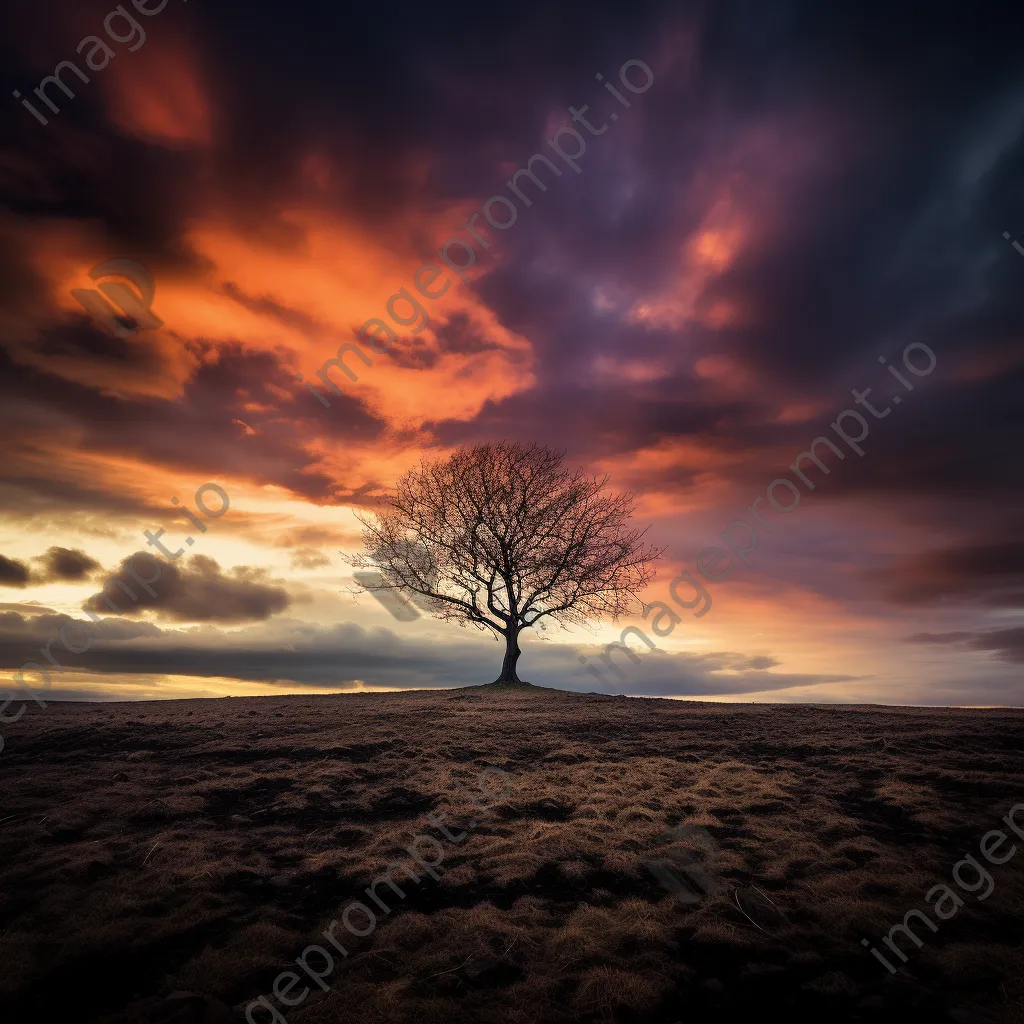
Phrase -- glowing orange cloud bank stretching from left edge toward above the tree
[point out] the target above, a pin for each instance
(308, 296)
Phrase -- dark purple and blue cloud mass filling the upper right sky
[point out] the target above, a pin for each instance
(888, 230)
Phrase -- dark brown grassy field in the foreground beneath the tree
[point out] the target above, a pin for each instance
(202, 846)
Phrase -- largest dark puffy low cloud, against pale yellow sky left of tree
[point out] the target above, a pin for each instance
(197, 592)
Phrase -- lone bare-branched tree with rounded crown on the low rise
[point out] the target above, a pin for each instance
(502, 536)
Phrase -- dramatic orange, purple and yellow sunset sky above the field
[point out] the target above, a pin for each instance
(805, 190)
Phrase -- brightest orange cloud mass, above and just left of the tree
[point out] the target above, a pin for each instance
(337, 279)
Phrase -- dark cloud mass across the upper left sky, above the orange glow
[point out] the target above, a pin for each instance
(450, 97)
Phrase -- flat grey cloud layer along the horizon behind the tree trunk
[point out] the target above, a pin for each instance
(343, 656)
